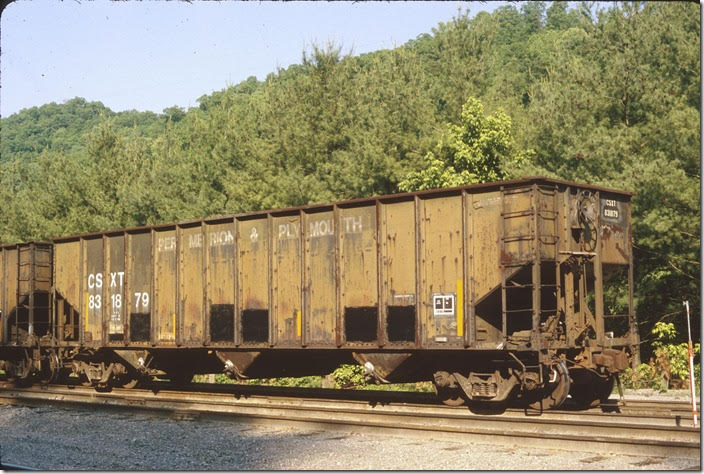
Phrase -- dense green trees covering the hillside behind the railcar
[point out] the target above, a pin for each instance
(608, 96)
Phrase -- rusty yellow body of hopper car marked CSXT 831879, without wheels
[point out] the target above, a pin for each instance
(517, 264)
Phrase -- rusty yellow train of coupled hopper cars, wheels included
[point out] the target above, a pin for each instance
(494, 292)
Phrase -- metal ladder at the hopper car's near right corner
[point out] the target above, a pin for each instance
(511, 264)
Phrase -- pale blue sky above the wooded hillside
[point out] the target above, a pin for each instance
(154, 54)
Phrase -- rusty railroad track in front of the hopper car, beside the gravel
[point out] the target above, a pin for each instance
(647, 428)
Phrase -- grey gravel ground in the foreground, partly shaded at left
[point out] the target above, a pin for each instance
(62, 438)
